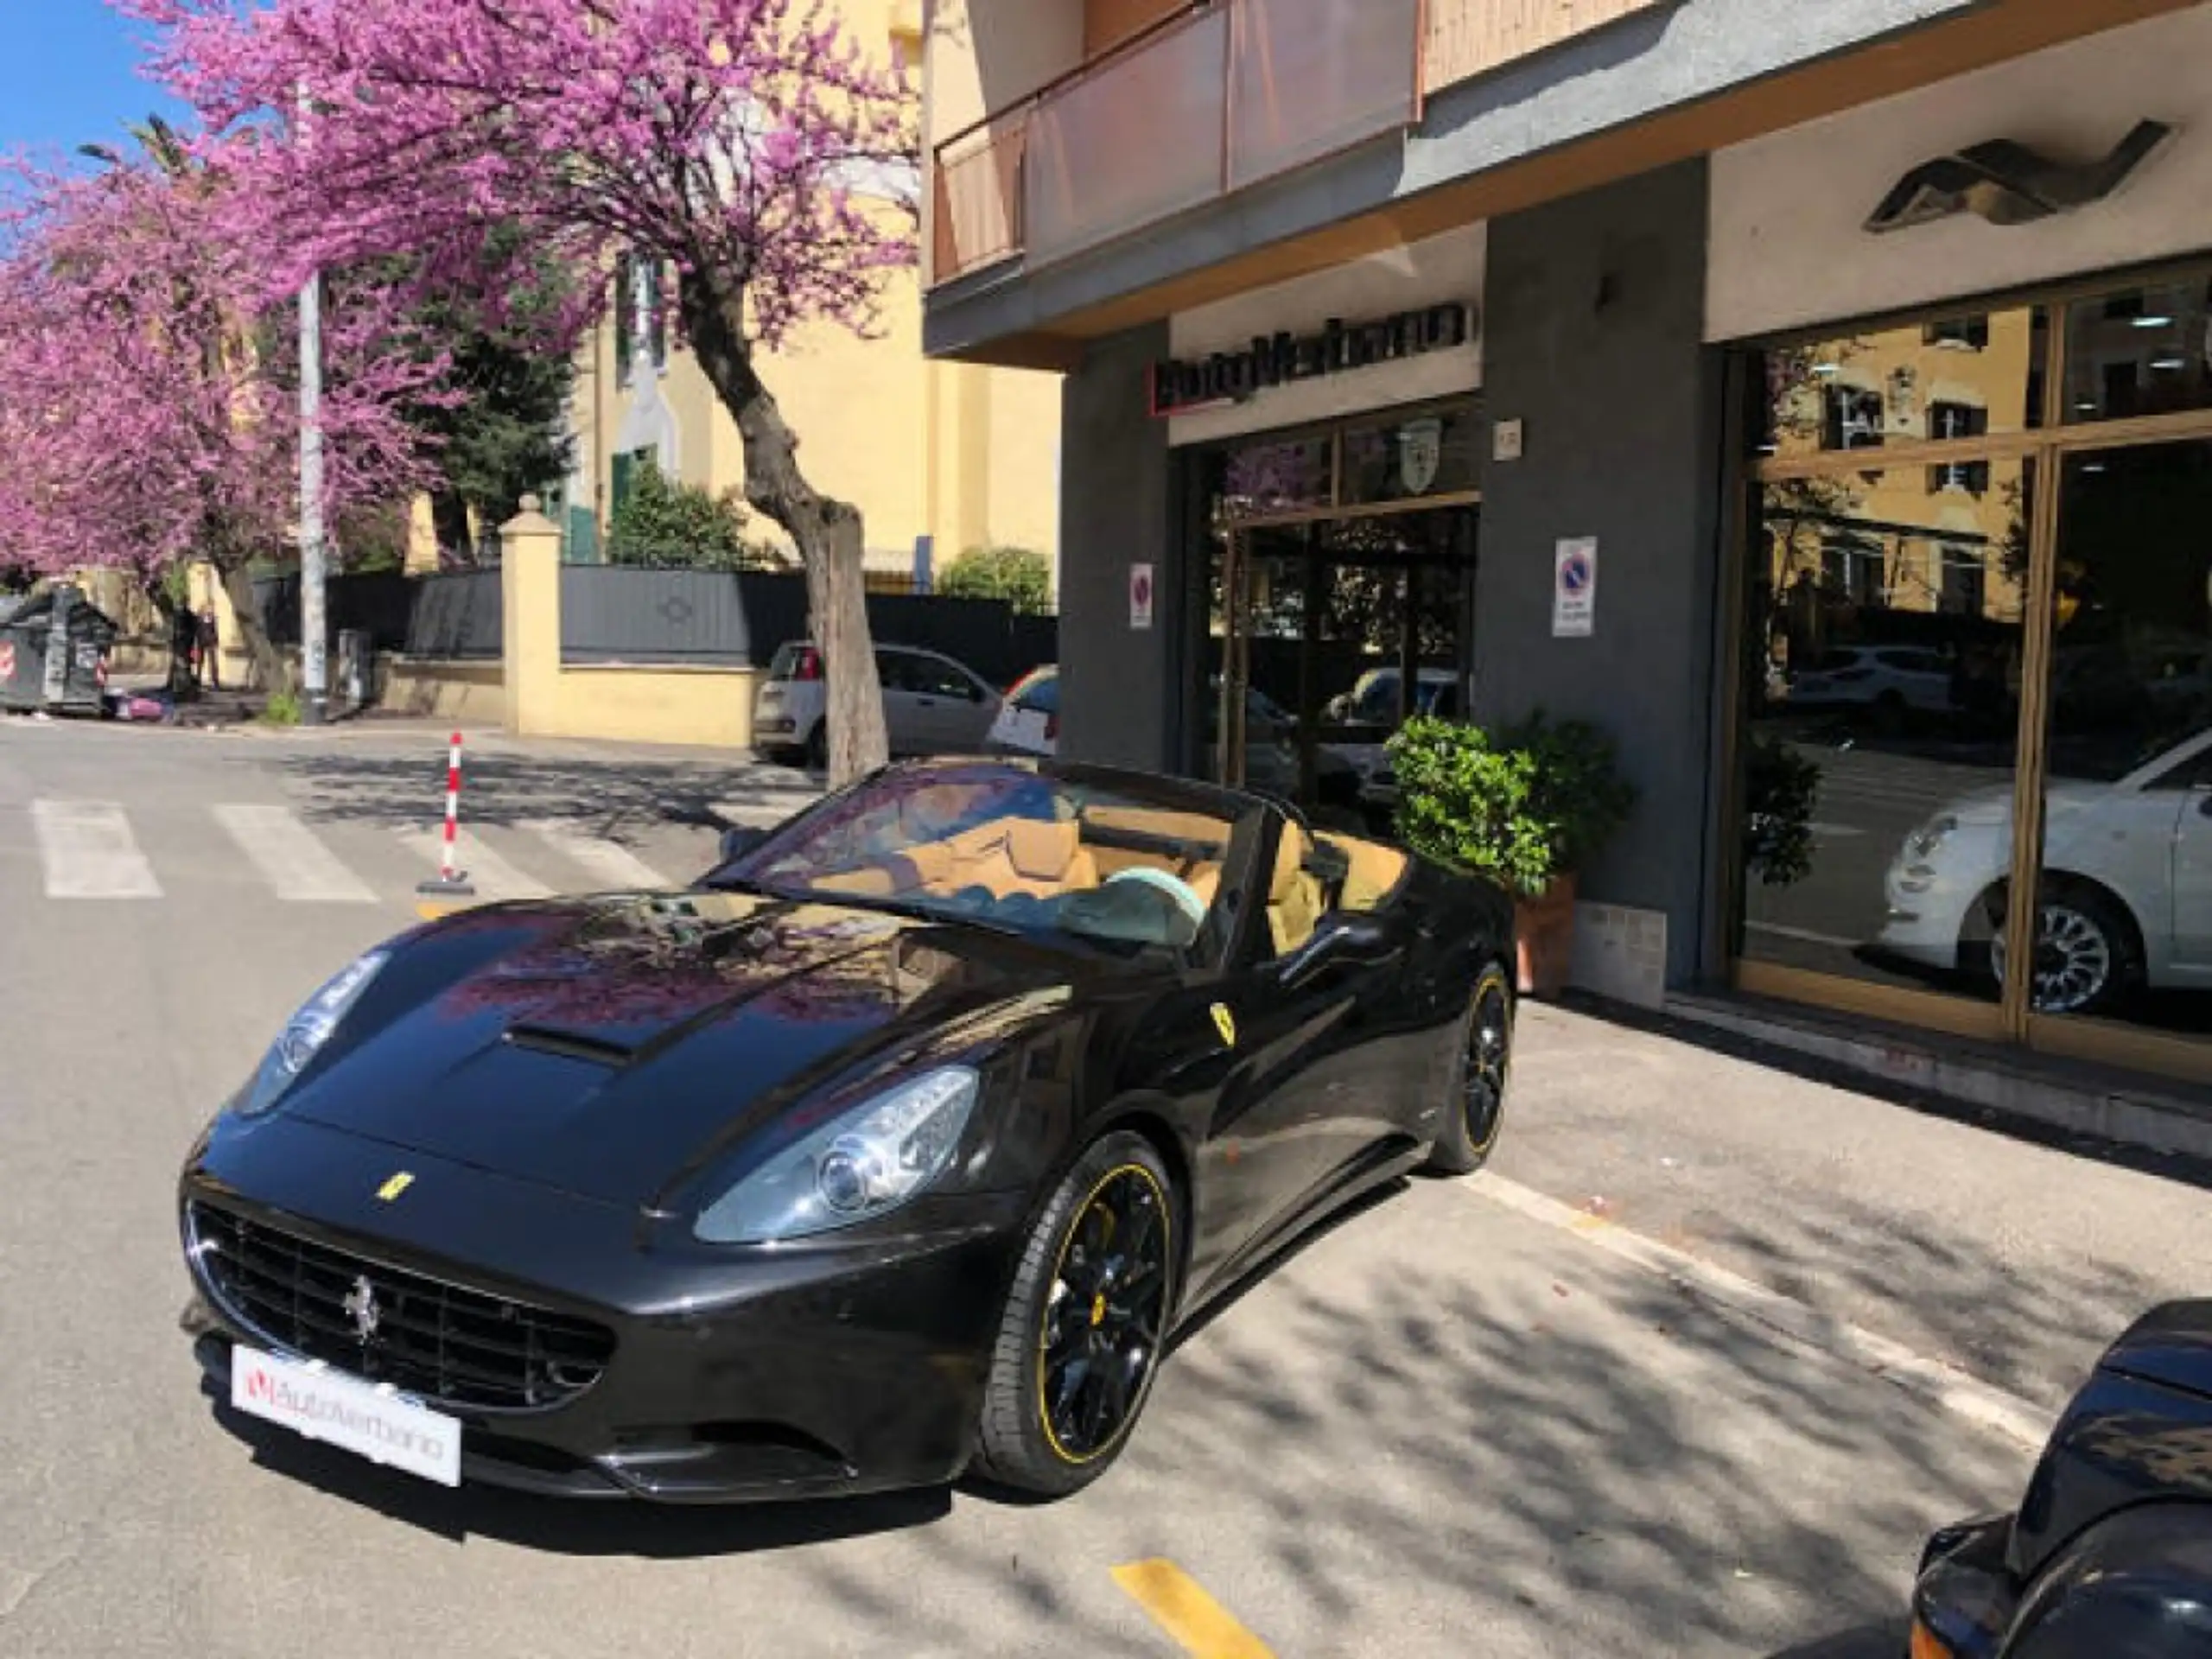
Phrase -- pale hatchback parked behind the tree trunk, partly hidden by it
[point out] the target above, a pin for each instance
(932, 705)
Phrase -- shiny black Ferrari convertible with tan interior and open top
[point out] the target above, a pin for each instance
(899, 1145)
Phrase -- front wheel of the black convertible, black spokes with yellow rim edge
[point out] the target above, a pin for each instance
(1050, 1421)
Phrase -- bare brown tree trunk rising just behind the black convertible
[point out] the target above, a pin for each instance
(826, 532)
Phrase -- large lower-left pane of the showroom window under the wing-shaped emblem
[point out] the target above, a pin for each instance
(1884, 698)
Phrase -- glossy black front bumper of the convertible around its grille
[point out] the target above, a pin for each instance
(735, 1377)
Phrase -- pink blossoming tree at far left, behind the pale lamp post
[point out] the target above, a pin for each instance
(149, 404)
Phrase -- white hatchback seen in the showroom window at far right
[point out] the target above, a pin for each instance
(2127, 884)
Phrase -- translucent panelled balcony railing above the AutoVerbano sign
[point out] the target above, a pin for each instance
(1209, 103)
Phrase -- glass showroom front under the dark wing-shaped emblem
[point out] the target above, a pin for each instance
(1974, 576)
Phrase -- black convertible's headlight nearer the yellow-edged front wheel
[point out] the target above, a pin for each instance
(857, 1167)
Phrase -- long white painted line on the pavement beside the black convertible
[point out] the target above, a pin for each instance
(1950, 1388)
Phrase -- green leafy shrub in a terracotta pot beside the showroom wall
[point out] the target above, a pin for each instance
(1527, 806)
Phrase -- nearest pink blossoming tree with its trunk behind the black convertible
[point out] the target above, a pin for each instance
(747, 145)
